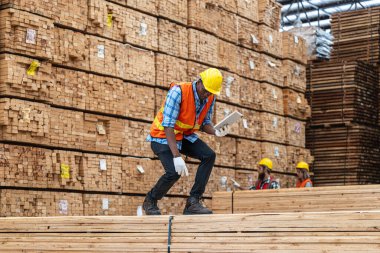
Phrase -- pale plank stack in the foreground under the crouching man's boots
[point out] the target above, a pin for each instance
(312, 232)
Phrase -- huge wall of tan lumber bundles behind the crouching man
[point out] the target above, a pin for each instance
(81, 81)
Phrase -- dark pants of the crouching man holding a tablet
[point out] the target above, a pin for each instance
(198, 150)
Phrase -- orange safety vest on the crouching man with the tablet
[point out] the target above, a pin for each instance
(186, 123)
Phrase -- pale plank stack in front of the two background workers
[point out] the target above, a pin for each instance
(317, 199)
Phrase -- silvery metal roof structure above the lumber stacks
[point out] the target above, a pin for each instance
(317, 12)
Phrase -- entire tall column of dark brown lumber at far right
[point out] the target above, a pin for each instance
(344, 96)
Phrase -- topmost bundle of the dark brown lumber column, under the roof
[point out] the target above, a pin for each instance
(357, 35)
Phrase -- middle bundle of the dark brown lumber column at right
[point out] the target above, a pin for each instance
(341, 92)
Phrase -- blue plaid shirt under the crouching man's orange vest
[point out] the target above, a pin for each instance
(171, 112)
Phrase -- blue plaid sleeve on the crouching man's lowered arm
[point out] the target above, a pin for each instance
(172, 107)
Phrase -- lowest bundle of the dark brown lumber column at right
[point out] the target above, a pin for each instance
(347, 154)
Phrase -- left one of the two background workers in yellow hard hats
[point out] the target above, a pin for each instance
(265, 180)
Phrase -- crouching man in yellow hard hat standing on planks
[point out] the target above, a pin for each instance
(187, 108)
